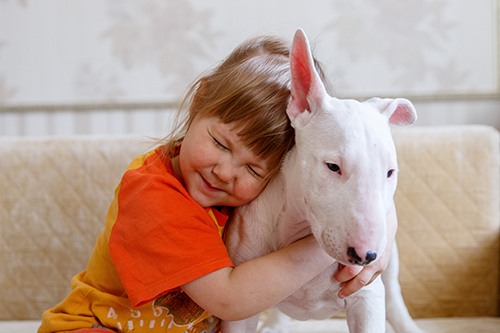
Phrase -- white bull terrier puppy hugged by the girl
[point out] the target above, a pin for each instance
(337, 183)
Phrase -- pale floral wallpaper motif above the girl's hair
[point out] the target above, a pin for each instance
(169, 35)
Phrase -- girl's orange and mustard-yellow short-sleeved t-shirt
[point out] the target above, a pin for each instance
(156, 239)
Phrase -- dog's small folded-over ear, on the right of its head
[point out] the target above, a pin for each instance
(399, 111)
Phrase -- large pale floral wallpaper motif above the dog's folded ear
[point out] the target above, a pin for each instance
(406, 36)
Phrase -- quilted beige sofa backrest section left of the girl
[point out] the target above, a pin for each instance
(55, 193)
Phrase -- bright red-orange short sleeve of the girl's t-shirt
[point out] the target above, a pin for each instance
(161, 238)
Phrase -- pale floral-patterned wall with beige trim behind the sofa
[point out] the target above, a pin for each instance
(120, 66)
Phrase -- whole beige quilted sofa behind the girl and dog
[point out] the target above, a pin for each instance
(54, 194)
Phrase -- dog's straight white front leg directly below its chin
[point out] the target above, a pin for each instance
(365, 310)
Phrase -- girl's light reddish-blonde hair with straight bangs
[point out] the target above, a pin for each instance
(250, 89)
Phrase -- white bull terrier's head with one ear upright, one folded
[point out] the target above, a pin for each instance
(348, 161)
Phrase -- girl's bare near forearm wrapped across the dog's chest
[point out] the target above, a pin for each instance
(256, 285)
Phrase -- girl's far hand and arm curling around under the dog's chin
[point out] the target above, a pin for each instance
(353, 278)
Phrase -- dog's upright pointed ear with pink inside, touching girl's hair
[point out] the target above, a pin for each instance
(306, 85)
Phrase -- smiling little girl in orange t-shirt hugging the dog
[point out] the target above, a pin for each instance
(160, 264)
